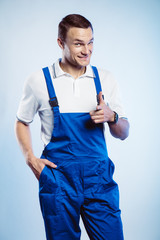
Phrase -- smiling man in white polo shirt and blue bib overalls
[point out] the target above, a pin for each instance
(74, 100)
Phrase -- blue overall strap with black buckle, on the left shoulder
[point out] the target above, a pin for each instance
(53, 99)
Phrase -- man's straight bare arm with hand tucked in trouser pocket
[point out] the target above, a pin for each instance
(24, 138)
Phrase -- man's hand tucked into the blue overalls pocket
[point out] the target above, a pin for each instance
(38, 164)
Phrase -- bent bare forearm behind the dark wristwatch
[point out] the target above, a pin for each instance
(120, 129)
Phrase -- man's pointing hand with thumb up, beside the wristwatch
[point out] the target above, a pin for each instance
(102, 113)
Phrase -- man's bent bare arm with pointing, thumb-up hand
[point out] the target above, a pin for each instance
(104, 114)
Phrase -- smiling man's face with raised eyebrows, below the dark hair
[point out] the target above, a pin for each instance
(78, 47)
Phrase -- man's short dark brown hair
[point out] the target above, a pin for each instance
(72, 20)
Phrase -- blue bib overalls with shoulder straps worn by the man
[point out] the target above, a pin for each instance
(82, 183)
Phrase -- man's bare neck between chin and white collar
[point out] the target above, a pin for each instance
(74, 71)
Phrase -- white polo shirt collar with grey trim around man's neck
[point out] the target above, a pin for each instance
(58, 72)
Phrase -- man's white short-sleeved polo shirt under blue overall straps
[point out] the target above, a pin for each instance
(74, 95)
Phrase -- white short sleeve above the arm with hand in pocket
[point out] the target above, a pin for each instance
(28, 105)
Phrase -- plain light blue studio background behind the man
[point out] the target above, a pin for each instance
(127, 42)
